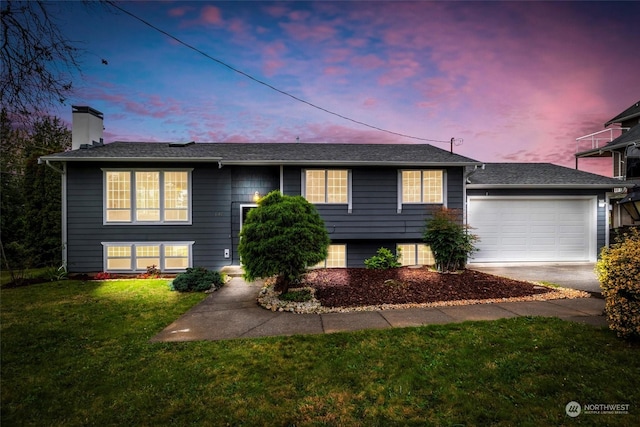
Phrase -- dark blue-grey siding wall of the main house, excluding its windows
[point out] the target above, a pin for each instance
(217, 197)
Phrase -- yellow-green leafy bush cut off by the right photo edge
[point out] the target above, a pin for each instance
(619, 274)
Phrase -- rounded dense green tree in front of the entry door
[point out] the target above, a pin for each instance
(282, 237)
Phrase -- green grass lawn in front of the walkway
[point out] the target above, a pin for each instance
(77, 353)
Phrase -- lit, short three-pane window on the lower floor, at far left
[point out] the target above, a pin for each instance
(132, 257)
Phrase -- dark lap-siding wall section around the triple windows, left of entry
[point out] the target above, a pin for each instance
(211, 216)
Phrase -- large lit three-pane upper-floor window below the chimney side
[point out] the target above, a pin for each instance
(147, 196)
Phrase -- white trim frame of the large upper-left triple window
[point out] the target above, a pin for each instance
(132, 195)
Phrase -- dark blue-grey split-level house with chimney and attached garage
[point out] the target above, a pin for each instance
(130, 205)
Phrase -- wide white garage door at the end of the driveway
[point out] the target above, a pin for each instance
(516, 229)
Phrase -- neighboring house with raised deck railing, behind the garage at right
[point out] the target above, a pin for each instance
(624, 150)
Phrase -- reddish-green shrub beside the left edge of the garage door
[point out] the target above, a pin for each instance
(449, 240)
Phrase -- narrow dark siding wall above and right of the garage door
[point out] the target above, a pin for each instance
(602, 223)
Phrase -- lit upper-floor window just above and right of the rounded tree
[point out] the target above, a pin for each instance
(326, 186)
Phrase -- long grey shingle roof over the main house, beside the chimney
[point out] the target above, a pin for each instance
(268, 153)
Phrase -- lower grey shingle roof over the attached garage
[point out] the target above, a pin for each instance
(536, 175)
